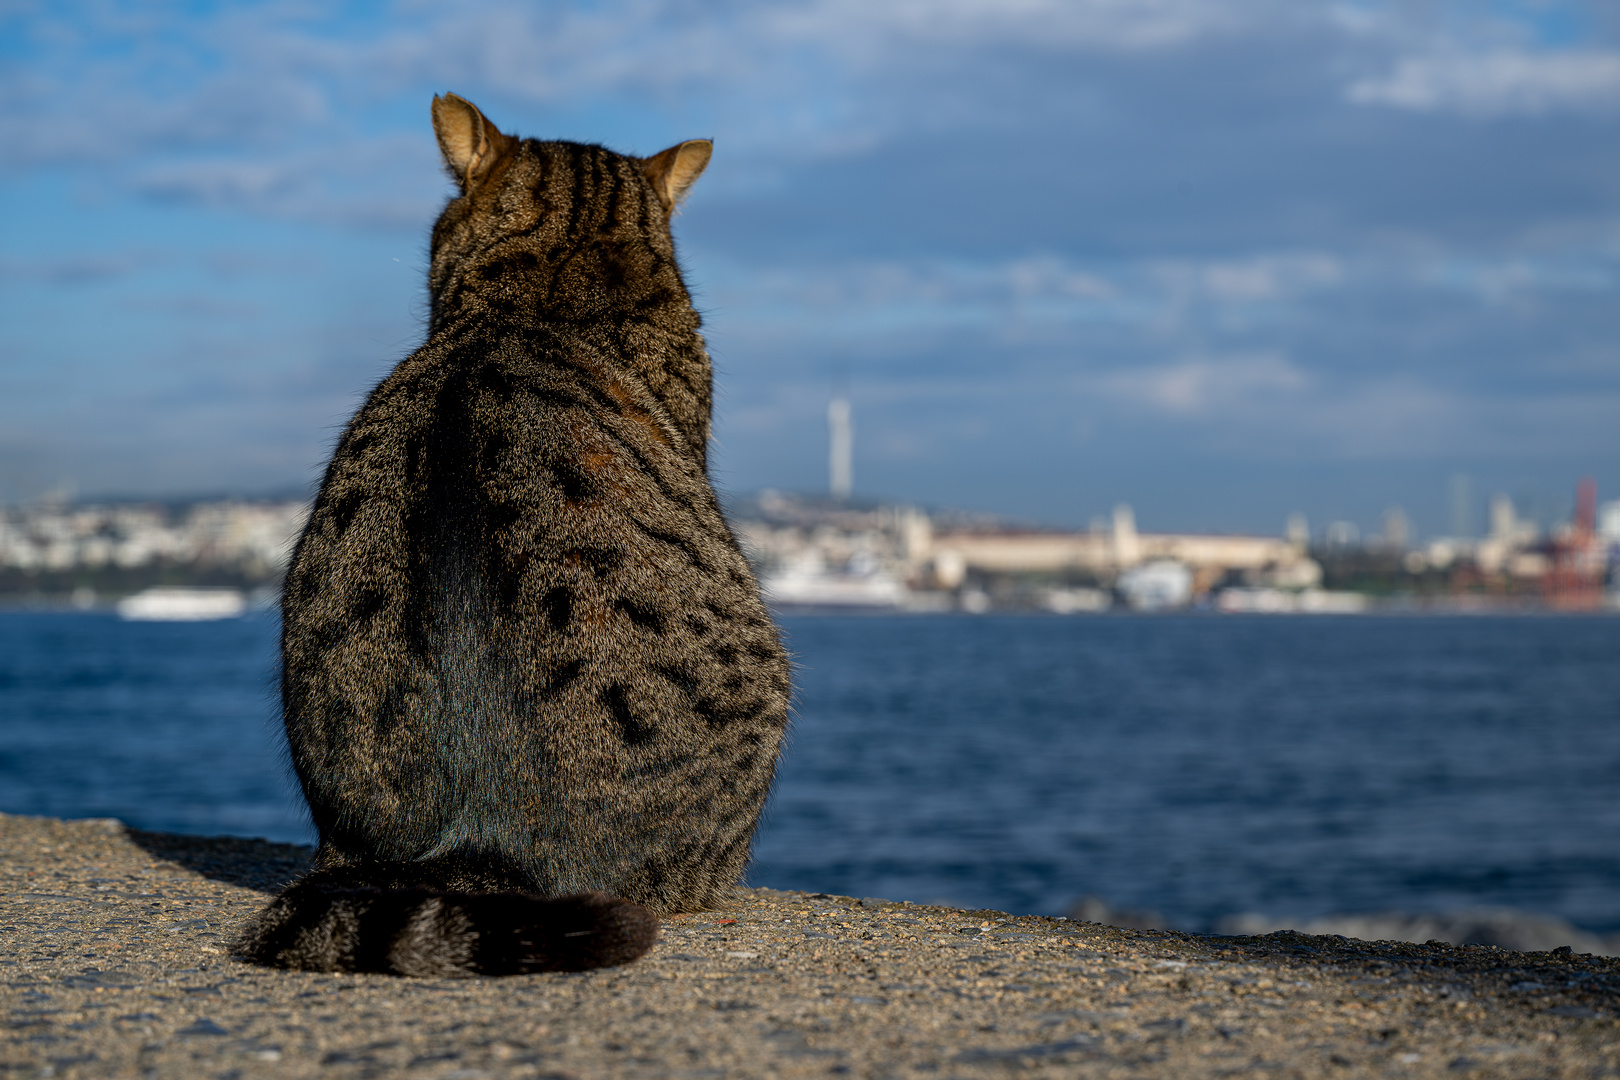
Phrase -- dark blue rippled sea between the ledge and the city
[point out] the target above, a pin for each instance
(1193, 765)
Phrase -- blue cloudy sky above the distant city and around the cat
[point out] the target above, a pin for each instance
(1221, 260)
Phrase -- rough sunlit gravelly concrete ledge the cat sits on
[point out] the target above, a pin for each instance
(114, 963)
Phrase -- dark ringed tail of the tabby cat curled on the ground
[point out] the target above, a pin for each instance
(341, 922)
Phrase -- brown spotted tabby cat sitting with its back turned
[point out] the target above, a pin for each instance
(529, 686)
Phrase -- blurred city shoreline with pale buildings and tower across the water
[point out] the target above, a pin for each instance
(833, 553)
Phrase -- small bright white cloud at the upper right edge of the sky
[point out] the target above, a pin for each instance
(1498, 83)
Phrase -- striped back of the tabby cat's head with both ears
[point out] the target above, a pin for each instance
(595, 218)
